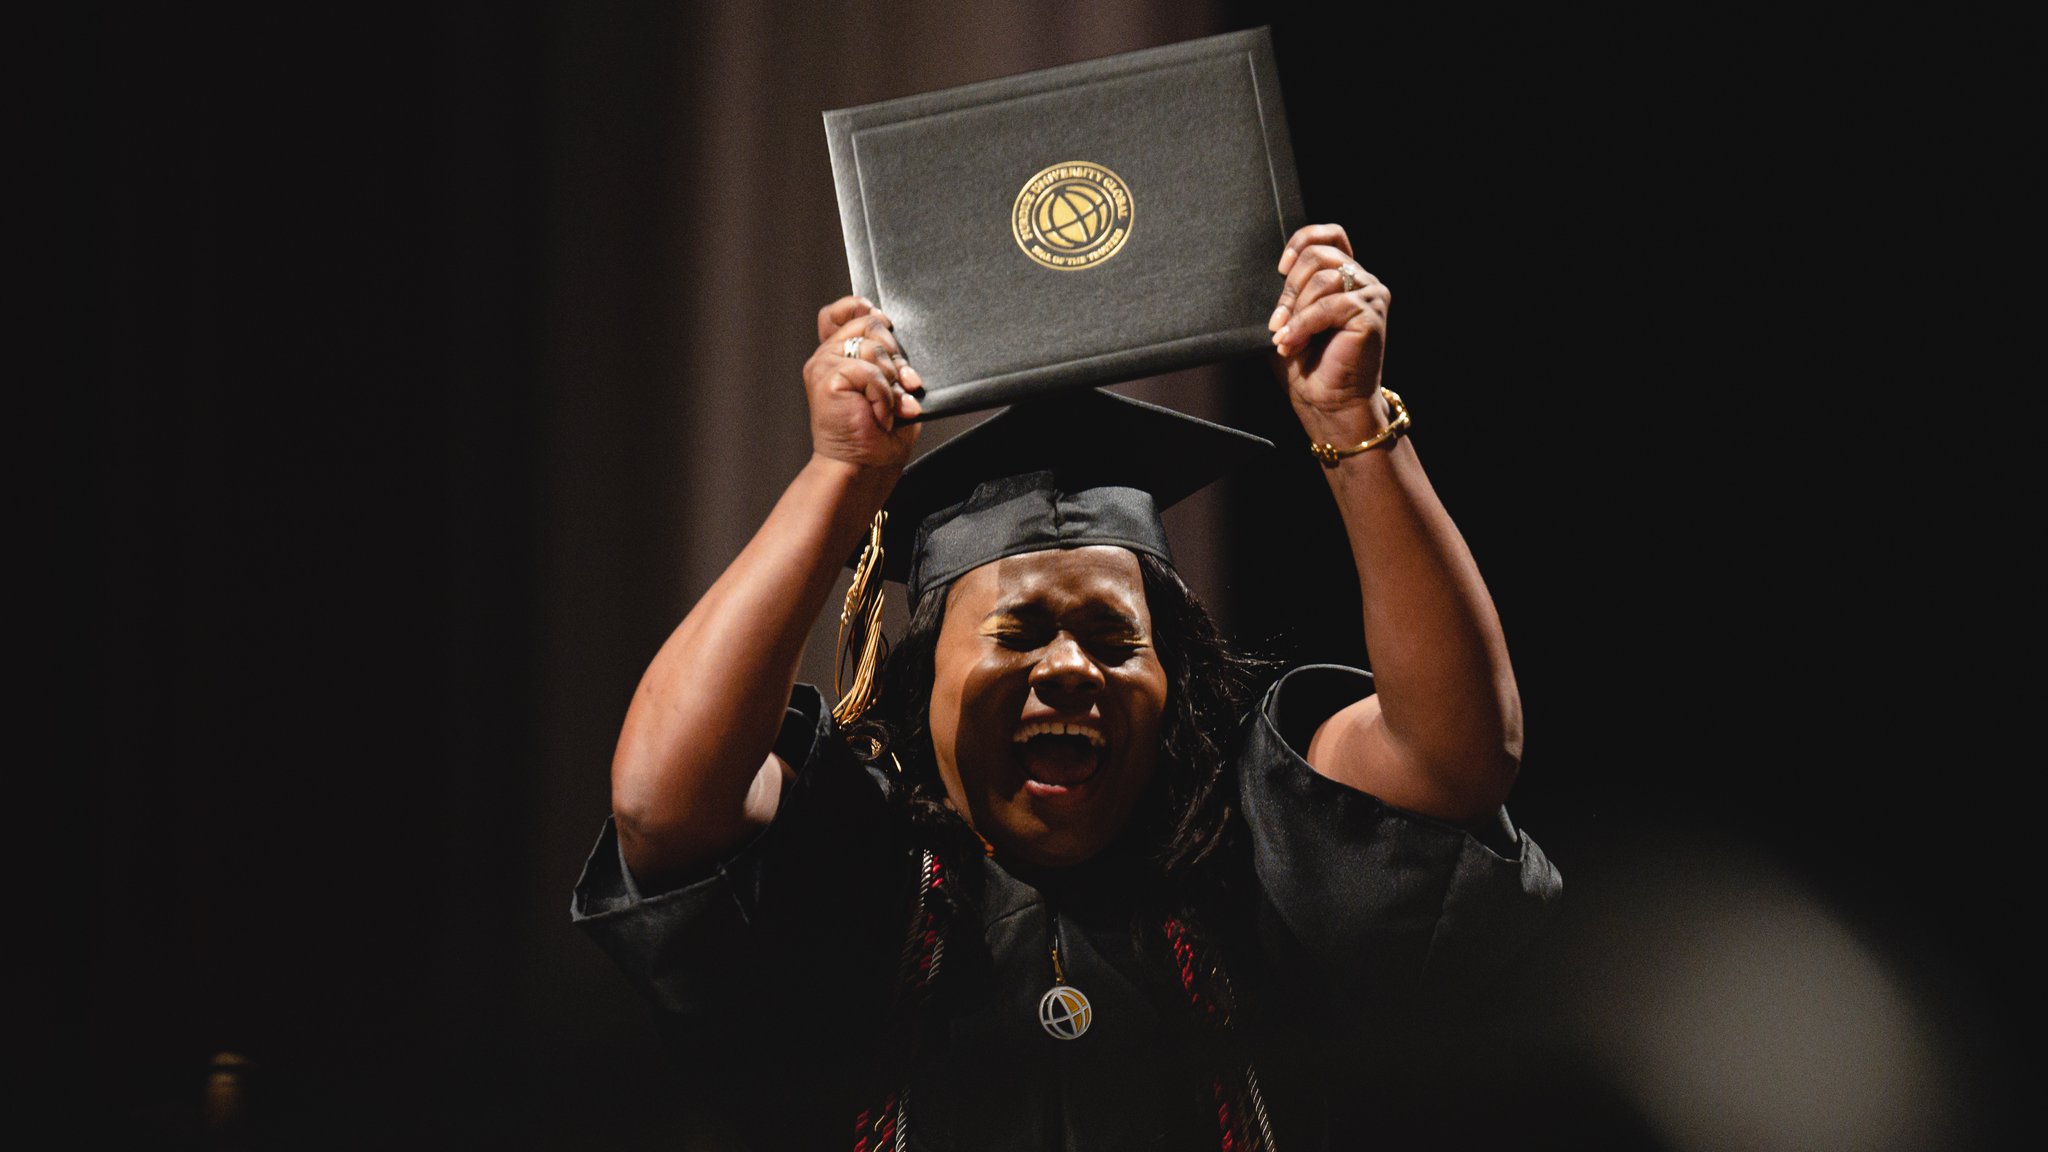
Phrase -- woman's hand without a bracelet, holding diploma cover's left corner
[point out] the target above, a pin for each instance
(861, 401)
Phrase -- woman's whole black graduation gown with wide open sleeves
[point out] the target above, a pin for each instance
(781, 969)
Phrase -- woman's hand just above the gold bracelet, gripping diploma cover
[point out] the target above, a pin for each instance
(1330, 333)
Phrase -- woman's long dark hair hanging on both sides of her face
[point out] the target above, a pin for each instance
(1189, 815)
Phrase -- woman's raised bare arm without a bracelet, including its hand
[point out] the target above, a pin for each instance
(693, 774)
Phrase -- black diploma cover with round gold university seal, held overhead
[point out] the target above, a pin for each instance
(1074, 227)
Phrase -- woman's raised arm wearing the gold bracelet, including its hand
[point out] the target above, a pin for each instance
(1443, 735)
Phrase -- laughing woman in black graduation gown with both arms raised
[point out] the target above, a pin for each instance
(1050, 893)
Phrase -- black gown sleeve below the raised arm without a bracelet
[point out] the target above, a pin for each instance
(814, 882)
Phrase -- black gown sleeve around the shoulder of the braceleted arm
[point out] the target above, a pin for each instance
(1383, 905)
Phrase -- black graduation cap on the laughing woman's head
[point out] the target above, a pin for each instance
(1066, 470)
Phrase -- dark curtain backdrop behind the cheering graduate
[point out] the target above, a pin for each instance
(437, 358)
